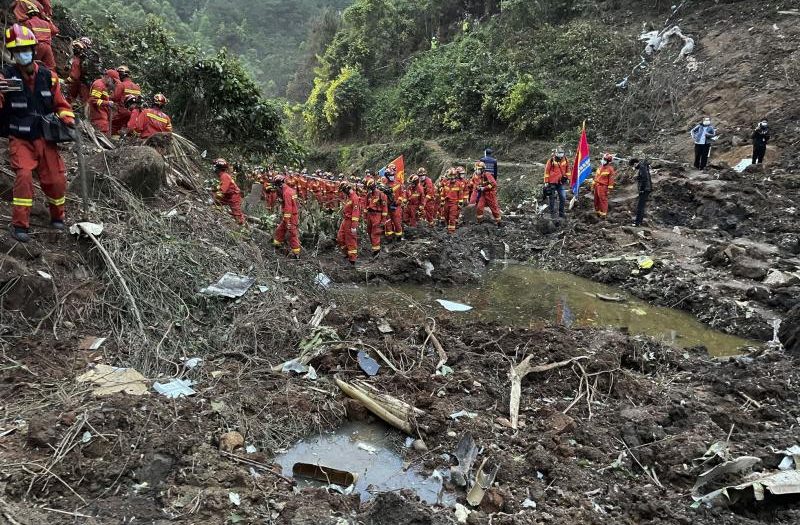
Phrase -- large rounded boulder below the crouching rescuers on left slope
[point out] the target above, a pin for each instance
(141, 169)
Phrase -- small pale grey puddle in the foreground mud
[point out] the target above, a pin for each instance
(373, 453)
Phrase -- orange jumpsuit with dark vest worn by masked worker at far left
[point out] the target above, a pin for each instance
(29, 151)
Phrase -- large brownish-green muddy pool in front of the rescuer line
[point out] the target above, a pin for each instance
(523, 296)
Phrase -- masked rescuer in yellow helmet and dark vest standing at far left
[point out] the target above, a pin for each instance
(21, 120)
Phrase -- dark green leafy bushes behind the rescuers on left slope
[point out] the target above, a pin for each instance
(213, 98)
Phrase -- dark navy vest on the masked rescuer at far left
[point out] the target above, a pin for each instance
(22, 111)
